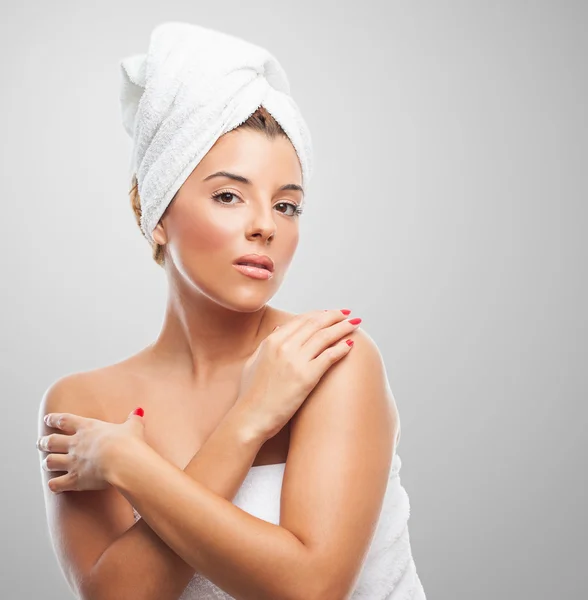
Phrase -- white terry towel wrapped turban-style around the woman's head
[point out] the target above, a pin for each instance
(193, 85)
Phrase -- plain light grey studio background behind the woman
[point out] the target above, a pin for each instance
(447, 209)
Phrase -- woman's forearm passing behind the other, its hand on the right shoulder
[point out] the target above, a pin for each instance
(152, 570)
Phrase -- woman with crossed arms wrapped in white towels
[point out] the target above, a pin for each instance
(261, 463)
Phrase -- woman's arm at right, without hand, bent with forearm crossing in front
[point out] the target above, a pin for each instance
(341, 447)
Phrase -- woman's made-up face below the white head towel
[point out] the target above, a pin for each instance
(213, 220)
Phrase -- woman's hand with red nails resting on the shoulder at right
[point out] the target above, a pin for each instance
(287, 365)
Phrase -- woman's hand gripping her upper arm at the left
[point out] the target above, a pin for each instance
(86, 448)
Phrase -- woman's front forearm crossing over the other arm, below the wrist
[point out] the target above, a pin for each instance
(247, 557)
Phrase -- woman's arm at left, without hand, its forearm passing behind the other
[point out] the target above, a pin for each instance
(103, 553)
